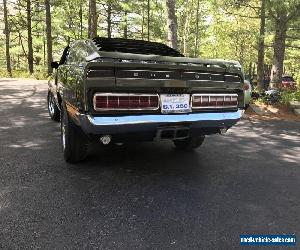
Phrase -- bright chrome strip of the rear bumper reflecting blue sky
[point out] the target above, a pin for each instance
(160, 118)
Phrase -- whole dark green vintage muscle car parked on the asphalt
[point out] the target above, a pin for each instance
(117, 90)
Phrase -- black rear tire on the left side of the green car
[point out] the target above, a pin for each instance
(74, 141)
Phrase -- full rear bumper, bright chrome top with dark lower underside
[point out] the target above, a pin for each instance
(136, 123)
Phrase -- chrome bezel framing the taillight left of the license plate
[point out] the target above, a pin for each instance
(126, 95)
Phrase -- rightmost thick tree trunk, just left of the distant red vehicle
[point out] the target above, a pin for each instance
(279, 51)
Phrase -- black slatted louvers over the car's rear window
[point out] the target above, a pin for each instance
(134, 46)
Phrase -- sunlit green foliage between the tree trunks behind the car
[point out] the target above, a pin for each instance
(227, 29)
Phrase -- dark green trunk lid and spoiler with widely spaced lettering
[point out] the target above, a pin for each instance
(124, 70)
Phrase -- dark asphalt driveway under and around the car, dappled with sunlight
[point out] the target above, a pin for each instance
(145, 195)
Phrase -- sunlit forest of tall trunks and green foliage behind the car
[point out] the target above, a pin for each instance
(263, 35)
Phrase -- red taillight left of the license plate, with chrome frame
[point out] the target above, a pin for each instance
(115, 101)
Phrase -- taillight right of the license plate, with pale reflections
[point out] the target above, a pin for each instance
(200, 101)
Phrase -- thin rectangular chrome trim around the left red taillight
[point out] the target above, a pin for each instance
(124, 94)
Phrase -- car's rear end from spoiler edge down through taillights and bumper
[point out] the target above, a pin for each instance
(162, 99)
